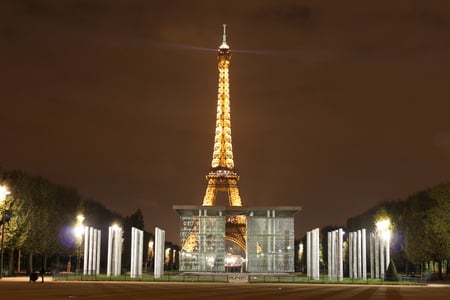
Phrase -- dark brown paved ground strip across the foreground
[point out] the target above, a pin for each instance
(21, 289)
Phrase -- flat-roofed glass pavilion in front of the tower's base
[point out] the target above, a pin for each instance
(205, 236)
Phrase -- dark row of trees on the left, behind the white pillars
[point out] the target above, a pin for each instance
(40, 217)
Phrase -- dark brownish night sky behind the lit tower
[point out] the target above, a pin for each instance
(336, 106)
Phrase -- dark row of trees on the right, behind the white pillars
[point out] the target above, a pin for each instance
(421, 230)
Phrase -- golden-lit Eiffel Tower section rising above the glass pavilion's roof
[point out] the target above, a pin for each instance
(222, 177)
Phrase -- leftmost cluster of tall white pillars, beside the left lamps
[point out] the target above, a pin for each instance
(92, 241)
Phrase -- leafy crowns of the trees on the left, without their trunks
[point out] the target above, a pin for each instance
(41, 209)
